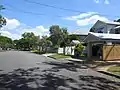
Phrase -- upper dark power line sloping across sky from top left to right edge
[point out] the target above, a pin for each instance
(65, 9)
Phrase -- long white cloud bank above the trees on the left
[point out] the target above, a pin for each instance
(15, 28)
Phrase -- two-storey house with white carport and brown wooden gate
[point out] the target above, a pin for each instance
(101, 35)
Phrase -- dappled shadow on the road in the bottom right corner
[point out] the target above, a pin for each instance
(98, 83)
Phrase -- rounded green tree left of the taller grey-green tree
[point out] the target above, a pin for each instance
(28, 41)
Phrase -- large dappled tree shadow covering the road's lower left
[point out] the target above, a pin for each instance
(21, 79)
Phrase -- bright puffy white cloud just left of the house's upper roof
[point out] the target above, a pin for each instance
(90, 20)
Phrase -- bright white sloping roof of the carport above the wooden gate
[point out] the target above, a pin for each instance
(101, 36)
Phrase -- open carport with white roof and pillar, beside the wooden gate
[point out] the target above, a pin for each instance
(101, 40)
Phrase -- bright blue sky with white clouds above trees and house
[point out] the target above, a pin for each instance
(78, 15)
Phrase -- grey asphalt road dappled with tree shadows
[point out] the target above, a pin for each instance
(26, 71)
